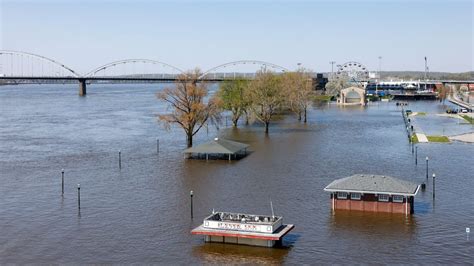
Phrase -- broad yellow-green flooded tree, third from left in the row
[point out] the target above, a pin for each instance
(266, 96)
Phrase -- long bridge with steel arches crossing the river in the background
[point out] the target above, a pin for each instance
(22, 67)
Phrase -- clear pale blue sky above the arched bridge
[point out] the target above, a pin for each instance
(87, 34)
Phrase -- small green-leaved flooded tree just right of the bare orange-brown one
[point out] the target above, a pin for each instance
(231, 97)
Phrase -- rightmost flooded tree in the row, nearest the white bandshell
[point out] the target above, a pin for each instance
(298, 91)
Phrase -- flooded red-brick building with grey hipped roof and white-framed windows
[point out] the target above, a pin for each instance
(374, 193)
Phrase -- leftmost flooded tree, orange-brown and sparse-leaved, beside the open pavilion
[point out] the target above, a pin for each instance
(189, 109)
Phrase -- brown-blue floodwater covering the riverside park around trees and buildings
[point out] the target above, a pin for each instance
(141, 212)
